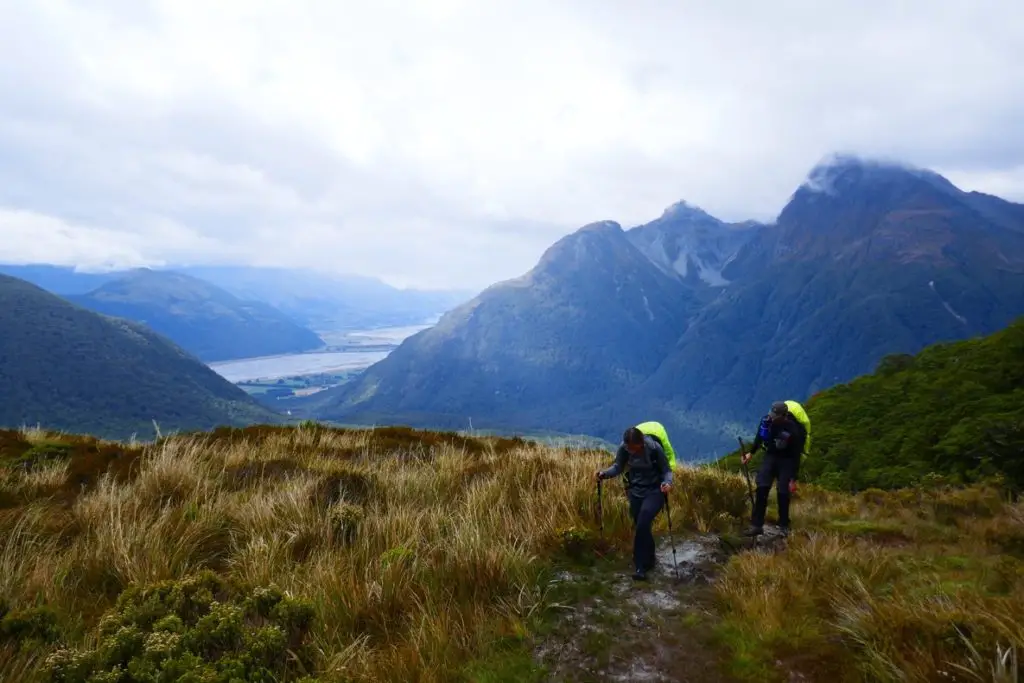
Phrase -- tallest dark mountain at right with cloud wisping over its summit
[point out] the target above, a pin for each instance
(867, 260)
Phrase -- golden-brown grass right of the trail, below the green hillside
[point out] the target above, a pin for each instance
(912, 585)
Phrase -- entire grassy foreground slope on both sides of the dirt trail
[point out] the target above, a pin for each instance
(426, 558)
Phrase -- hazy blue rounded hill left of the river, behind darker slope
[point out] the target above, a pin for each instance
(202, 319)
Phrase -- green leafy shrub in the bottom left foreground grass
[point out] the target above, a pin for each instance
(197, 629)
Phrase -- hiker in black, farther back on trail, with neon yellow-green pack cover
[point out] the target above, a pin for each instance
(783, 437)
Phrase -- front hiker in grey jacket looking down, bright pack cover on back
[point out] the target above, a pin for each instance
(649, 480)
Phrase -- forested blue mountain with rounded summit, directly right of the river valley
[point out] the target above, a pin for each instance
(593, 318)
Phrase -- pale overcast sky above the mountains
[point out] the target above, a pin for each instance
(449, 143)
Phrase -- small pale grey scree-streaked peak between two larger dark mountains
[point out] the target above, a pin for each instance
(686, 242)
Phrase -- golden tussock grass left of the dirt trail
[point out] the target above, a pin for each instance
(417, 550)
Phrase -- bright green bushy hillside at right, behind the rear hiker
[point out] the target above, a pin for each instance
(955, 410)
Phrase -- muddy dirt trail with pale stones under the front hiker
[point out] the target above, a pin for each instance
(616, 629)
